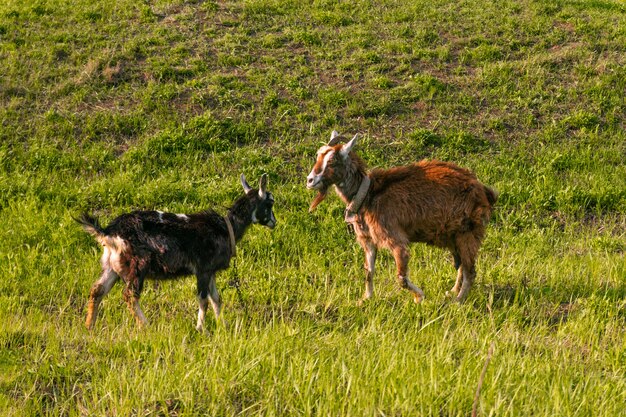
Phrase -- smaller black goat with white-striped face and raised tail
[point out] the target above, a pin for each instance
(158, 245)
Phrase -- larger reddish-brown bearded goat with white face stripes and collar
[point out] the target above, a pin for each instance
(438, 203)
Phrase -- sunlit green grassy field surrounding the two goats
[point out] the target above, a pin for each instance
(110, 106)
